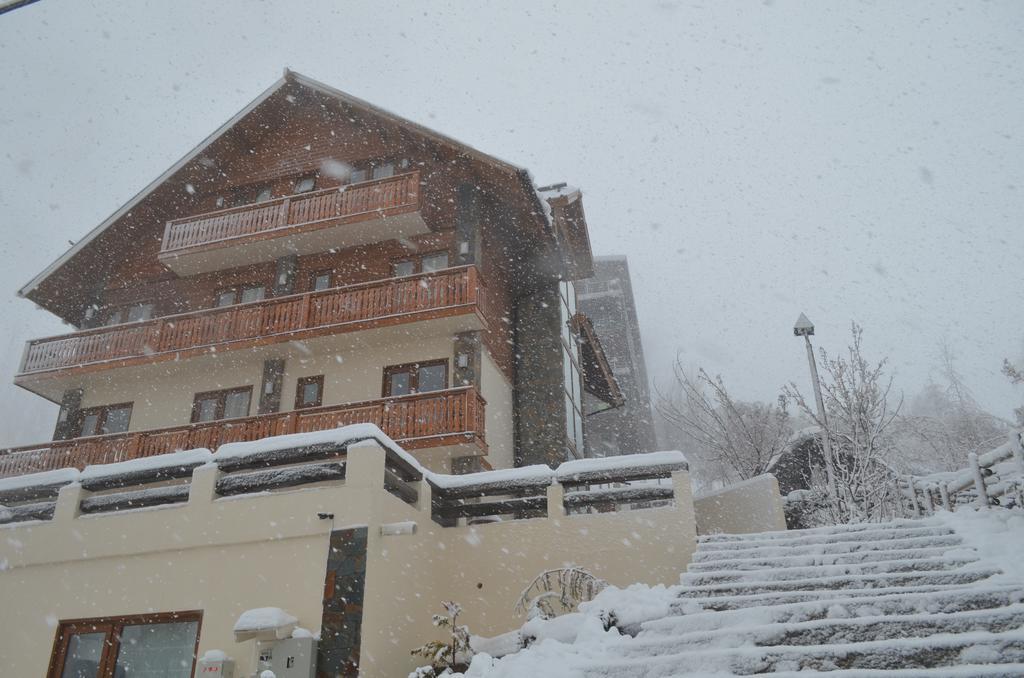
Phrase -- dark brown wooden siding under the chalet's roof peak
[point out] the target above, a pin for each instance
(289, 135)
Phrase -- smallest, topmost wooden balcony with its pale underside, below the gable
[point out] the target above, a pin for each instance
(305, 224)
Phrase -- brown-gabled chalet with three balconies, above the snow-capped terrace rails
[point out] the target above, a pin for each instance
(316, 263)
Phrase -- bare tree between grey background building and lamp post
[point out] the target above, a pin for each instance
(735, 440)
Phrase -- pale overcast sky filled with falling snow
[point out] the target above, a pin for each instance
(855, 161)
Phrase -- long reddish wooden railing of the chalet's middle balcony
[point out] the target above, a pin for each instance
(387, 301)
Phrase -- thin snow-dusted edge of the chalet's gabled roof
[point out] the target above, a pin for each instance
(522, 175)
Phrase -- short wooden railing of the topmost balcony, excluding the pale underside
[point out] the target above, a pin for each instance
(368, 198)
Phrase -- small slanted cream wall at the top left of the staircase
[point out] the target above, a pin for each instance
(751, 506)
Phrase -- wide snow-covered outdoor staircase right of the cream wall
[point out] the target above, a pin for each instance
(905, 599)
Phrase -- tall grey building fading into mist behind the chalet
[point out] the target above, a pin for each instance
(607, 301)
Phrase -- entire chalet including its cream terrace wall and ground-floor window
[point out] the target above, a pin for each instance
(308, 360)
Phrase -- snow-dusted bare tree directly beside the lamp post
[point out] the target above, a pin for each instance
(861, 423)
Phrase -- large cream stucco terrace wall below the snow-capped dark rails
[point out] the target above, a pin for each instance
(227, 556)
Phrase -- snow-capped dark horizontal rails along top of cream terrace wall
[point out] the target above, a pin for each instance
(303, 459)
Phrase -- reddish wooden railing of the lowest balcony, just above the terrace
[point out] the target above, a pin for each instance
(422, 420)
